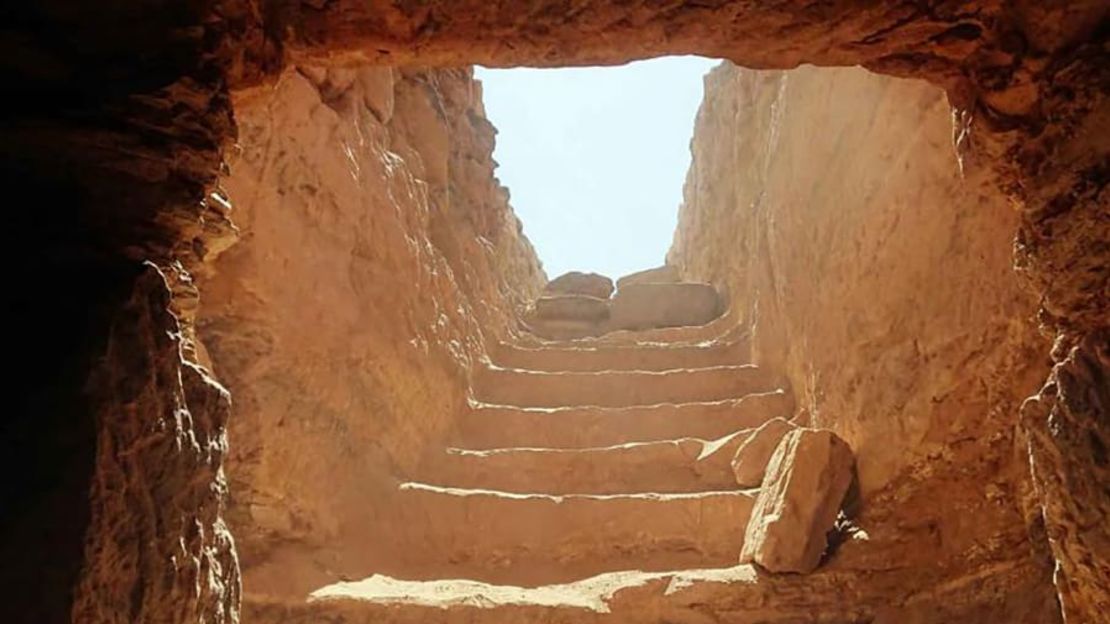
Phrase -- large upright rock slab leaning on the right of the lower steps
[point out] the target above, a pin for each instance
(806, 484)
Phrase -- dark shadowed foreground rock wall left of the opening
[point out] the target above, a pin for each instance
(113, 125)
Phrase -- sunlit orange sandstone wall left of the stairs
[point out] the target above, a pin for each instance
(377, 249)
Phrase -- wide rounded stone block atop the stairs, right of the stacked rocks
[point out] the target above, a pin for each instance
(642, 307)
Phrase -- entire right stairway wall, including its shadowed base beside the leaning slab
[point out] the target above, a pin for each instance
(874, 269)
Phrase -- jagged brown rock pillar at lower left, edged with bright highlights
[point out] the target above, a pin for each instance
(179, 563)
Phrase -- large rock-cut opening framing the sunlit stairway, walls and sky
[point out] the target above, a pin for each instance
(413, 430)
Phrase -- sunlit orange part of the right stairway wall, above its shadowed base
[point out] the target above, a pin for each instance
(869, 263)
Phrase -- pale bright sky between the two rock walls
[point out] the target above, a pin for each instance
(596, 158)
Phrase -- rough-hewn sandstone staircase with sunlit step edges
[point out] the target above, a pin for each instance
(592, 479)
